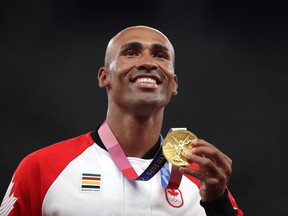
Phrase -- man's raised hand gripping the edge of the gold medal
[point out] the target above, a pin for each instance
(214, 169)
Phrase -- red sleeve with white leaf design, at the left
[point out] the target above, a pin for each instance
(35, 174)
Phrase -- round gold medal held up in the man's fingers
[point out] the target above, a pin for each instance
(176, 145)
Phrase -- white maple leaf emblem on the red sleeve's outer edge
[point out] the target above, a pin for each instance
(8, 201)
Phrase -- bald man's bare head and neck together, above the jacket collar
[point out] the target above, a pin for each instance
(140, 80)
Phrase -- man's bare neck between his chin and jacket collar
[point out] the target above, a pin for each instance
(136, 135)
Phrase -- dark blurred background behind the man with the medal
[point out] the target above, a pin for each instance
(231, 61)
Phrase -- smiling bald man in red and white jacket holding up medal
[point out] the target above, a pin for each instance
(90, 174)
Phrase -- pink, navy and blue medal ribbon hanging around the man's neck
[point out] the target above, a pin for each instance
(168, 180)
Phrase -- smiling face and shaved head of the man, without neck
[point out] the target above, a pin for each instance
(140, 70)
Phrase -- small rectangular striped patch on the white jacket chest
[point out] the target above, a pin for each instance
(90, 182)
